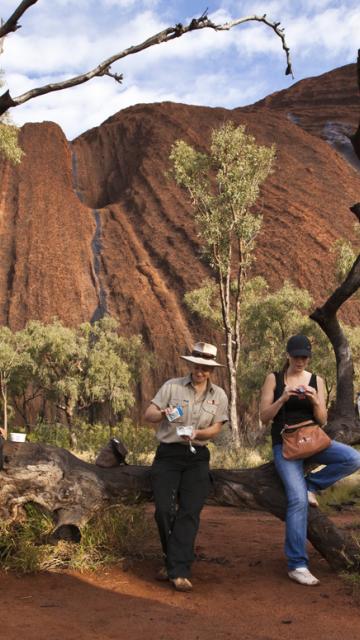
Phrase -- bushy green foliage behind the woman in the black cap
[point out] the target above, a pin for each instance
(268, 319)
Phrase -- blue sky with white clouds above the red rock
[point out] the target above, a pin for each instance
(62, 38)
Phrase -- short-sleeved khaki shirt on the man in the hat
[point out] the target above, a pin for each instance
(201, 412)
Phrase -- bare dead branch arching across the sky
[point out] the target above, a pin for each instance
(7, 101)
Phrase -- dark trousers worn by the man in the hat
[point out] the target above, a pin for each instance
(181, 484)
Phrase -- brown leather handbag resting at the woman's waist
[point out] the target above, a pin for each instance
(303, 440)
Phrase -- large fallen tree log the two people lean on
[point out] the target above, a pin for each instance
(72, 491)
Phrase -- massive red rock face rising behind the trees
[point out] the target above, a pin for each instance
(97, 226)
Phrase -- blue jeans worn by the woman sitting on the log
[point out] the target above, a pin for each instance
(340, 460)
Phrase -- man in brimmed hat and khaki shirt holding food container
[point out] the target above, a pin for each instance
(195, 406)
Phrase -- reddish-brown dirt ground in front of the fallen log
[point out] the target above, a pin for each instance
(240, 591)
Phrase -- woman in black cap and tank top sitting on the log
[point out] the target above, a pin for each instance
(295, 396)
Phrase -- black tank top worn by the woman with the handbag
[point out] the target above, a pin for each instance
(293, 411)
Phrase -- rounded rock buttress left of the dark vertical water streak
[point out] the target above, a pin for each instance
(46, 260)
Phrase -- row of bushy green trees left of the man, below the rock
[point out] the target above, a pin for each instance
(73, 368)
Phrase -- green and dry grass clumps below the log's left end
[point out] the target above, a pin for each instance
(104, 539)
